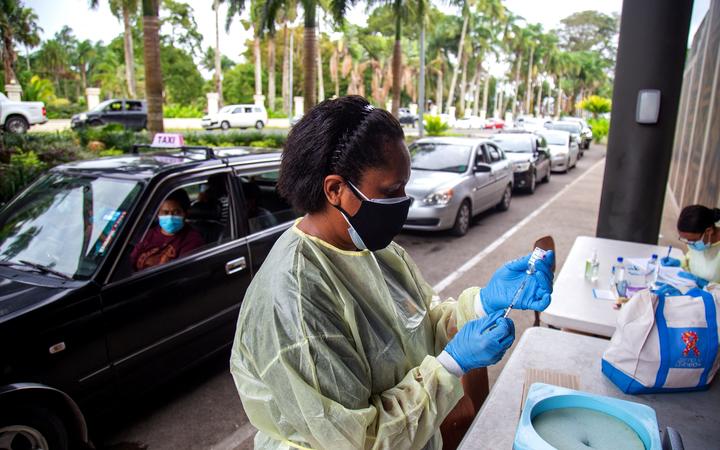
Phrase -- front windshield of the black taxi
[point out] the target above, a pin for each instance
(65, 223)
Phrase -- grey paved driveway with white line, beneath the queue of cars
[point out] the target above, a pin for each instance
(201, 410)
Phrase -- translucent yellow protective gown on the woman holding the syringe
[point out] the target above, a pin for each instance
(336, 349)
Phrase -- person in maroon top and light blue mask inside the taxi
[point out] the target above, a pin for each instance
(171, 238)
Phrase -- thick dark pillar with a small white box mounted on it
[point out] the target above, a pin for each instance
(651, 55)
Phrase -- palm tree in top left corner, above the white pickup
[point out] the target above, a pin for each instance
(17, 25)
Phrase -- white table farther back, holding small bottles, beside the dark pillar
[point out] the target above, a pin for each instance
(573, 305)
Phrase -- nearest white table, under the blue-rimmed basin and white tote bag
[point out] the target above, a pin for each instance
(695, 415)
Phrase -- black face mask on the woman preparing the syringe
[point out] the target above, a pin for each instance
(377, 221)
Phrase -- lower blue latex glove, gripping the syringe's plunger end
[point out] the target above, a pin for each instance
(482, 342)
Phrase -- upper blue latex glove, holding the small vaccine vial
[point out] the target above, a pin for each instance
(498, 294)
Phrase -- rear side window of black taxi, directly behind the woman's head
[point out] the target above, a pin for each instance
(264, 208)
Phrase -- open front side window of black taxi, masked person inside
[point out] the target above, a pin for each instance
(190, 218)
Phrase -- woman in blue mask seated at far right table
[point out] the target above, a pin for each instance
(698, 228)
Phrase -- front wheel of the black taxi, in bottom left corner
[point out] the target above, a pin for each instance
(32, 428)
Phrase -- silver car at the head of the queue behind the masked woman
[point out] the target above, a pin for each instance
(454, 179)
